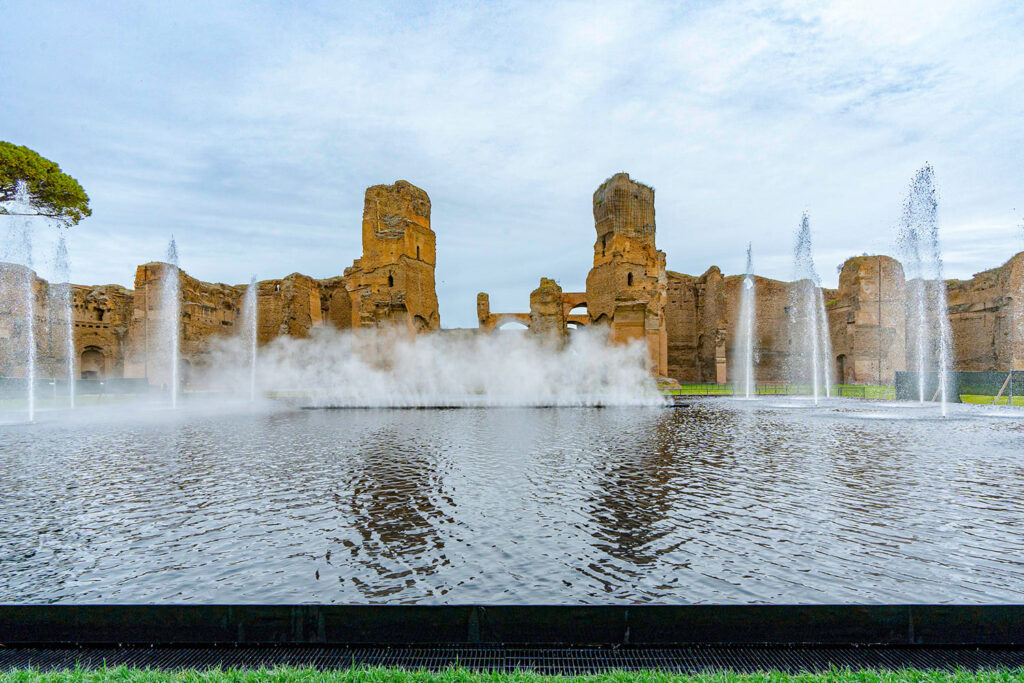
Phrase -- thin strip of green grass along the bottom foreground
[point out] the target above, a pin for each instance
(368, 675)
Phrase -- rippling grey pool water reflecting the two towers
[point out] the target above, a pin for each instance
(723, 502)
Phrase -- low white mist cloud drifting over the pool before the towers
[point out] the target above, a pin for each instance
(380, 369)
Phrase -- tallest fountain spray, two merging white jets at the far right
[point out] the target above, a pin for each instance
(920, 250)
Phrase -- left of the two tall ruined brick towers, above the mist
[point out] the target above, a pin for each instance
(394, 282)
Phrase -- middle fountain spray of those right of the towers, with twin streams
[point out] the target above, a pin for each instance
(814, 359)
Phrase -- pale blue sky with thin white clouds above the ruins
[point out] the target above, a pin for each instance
(249, 132)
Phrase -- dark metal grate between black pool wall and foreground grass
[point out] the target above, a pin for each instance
(544, 661)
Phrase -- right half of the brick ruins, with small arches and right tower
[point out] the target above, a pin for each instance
(690, 323)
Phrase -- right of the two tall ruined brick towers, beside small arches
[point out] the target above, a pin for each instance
(627, 287)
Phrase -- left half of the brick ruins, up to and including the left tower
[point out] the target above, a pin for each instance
(117, 330)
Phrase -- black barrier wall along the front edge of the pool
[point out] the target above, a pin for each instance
(536, 626)
